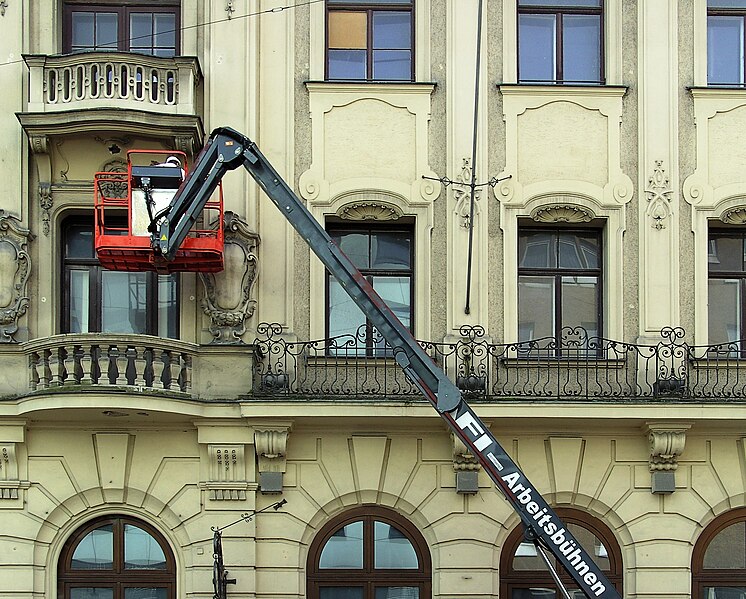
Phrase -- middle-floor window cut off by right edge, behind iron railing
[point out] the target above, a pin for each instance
(726, 285)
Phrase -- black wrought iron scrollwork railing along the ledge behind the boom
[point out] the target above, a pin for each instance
(576, 366)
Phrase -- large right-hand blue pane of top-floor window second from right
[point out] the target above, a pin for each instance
(581, 48)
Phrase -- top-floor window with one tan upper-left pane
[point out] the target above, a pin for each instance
(370, 40)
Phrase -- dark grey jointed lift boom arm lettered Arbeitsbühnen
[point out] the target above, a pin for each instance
(226, 150)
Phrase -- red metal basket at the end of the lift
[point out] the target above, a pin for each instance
(122, 217)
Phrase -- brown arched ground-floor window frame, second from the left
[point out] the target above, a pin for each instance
(369, 577)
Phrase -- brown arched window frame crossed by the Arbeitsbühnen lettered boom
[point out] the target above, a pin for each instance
(511, 579)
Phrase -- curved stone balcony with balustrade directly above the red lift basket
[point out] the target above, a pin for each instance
(95, 91)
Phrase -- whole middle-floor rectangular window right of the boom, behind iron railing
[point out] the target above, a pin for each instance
(559, 282)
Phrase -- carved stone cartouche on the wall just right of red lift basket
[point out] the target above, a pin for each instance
(228, 300)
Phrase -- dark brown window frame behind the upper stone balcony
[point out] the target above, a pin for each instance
(123, 8)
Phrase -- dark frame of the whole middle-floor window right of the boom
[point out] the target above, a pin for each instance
(557, 273)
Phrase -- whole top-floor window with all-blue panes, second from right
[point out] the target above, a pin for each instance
(560, 41)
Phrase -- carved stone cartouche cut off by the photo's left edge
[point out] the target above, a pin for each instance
(15, 267)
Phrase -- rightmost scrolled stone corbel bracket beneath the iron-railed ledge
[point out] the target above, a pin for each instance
(667, 441)
